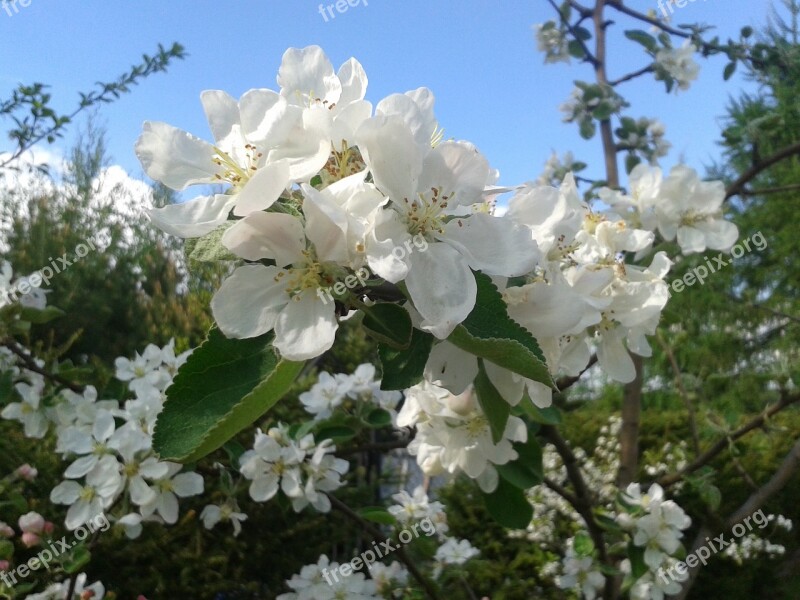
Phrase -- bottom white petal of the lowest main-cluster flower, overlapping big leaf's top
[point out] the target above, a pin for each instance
(306, 327)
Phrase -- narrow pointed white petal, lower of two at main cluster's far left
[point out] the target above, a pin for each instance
(194, 218)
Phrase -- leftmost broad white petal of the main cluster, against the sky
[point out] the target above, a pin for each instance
(175, 158)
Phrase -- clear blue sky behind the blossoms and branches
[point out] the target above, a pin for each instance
(479, 57)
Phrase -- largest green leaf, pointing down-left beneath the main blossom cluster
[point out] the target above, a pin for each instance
(226, 385)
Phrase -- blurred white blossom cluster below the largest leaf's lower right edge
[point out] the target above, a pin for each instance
(301, 469)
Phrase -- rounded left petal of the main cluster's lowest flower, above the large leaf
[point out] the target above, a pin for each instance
(248, 302)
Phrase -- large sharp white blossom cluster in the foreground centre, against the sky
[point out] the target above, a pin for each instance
(322, 186)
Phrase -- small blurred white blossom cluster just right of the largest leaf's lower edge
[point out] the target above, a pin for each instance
(333, 391)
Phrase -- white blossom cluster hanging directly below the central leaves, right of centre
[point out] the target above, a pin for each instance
(453, 434)
